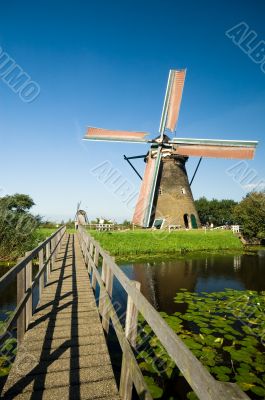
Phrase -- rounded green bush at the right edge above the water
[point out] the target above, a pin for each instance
(250, 213)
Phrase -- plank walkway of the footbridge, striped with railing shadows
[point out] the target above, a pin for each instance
(64, 353)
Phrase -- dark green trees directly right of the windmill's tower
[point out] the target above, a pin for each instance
(218, 212)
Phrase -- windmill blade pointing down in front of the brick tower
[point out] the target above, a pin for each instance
(144, 206)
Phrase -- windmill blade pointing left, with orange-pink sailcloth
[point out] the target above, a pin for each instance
(115, 136)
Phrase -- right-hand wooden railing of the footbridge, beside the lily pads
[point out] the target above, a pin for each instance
(201, 381)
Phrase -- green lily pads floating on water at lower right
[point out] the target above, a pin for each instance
(224, 330)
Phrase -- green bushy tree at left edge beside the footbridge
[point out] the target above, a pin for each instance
(17, 226)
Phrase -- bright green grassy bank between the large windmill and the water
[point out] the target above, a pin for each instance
(135, 244)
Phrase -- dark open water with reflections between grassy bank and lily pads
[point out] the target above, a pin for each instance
(161, 280)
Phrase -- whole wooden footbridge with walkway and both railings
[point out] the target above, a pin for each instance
(62, 348)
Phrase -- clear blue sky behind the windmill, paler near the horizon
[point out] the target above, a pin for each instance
(105, 63)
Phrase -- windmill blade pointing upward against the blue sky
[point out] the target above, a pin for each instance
(172, 100)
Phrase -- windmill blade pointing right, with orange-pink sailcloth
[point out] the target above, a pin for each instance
(216, 148)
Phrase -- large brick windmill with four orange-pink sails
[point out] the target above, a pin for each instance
(165, 196)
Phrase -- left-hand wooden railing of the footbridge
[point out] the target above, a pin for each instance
(22, 272)
